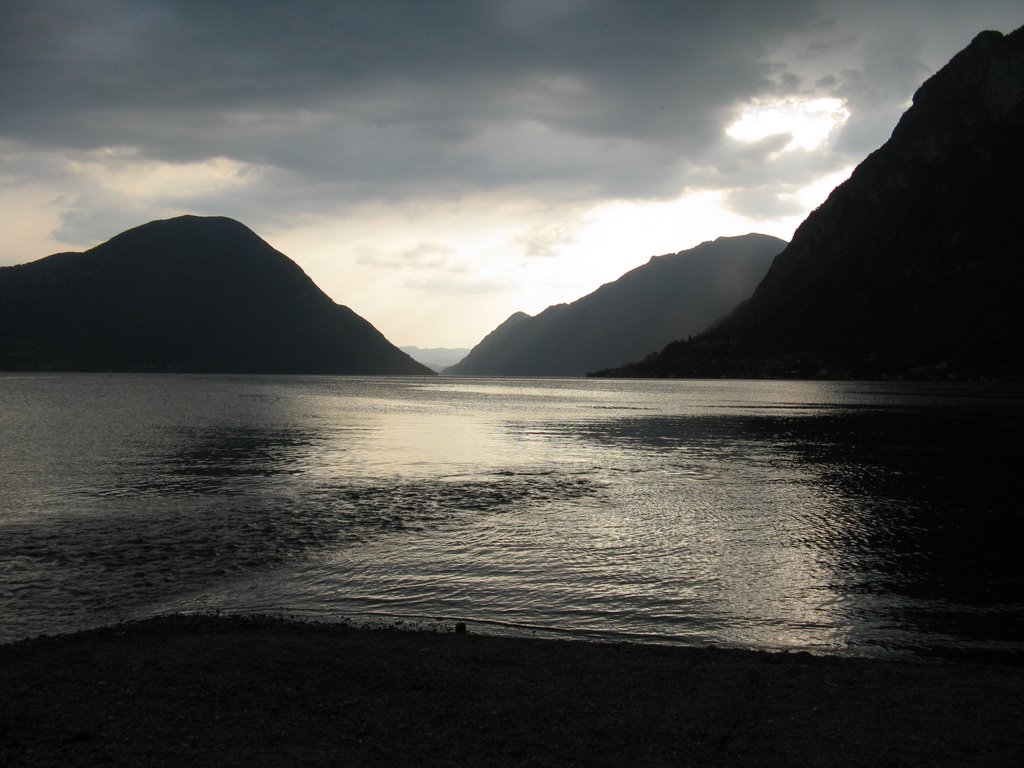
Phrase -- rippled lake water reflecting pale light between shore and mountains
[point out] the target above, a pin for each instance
(856, 519)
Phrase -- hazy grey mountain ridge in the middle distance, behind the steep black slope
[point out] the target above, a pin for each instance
(669, 297)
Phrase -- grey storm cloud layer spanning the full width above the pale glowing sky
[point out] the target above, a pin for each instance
(336, 103)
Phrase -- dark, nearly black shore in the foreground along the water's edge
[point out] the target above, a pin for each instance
(206, 692)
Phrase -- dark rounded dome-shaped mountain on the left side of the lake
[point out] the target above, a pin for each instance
(189, 294)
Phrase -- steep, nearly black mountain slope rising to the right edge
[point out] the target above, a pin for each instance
(913, 267)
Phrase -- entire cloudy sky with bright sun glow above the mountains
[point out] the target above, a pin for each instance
(438, 165)
